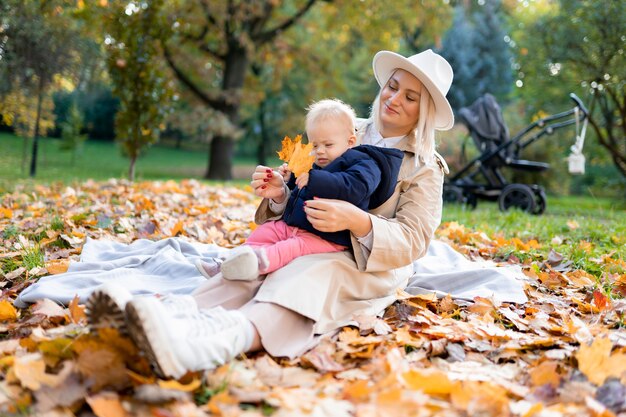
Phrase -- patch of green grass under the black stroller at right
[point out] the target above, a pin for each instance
(580, 228)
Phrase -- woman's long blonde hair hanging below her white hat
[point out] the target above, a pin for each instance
(424, 129)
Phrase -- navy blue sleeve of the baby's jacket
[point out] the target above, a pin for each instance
(354, 184)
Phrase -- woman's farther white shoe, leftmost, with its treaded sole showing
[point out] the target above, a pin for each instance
(105, 307)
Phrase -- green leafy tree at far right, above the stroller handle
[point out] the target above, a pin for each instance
(578, 46)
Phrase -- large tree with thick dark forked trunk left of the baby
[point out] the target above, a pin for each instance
(211, 54)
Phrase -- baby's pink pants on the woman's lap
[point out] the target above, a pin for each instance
(284, 243)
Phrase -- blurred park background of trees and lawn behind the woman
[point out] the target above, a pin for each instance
(207, 89)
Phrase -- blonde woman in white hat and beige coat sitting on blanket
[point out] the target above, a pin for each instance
(314, 294)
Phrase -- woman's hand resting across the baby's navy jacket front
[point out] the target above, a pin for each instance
(327, 215)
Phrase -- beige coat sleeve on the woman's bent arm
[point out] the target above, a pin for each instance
(399, 241)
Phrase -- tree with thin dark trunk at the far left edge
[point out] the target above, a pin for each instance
(37, 46)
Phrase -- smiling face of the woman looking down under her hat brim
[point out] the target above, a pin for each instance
(400, 103)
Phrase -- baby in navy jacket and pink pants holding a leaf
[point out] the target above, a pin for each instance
(364, 175)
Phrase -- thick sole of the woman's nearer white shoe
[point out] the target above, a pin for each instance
(151, 339)
